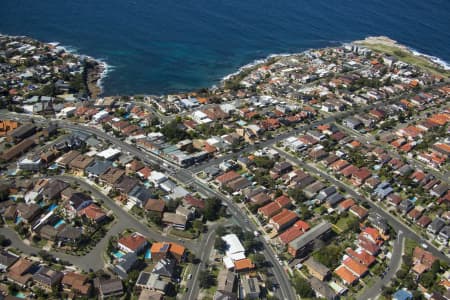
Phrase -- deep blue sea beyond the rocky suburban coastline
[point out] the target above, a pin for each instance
(158, 47)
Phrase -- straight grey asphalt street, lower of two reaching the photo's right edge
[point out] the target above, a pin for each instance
(395, 223)
